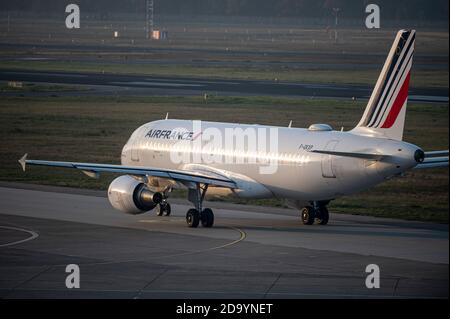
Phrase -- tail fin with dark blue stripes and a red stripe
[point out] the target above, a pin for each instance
(385, 112)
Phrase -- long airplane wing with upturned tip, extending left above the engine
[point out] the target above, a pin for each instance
(93, 170)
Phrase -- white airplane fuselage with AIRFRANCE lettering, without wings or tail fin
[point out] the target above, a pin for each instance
(287, 168)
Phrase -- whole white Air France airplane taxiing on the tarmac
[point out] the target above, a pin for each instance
(309, 167)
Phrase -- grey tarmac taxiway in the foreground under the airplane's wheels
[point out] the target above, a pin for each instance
(251, 252)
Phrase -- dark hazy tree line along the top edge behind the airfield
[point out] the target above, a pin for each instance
(393, 10)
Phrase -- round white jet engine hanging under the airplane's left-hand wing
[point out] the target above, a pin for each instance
(130, 196)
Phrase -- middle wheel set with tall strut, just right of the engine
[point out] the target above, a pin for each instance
(197, 215)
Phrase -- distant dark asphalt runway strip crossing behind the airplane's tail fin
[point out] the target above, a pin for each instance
(101, 84)
